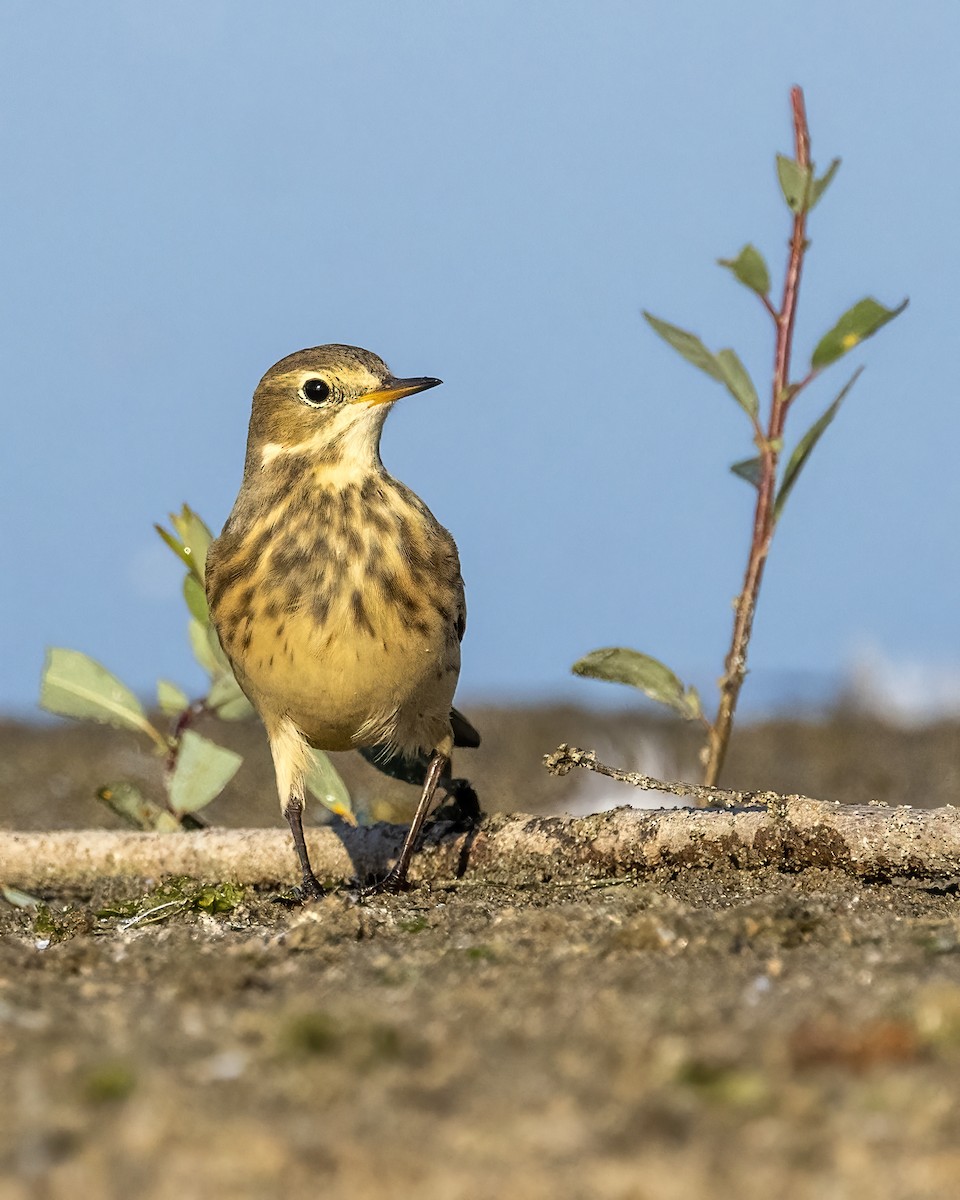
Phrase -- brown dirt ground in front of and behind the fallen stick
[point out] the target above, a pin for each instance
(687, 1035)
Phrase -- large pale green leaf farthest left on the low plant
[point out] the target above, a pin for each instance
(74, 685)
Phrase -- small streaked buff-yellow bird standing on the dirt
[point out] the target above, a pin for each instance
(337, 595)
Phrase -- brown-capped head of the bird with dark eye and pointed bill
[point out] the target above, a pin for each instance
(327, 404)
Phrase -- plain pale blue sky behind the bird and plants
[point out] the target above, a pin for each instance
(489, 194)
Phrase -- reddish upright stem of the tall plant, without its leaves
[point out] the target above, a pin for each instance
(735, 665)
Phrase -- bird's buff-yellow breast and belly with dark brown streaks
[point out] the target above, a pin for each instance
(340, 614)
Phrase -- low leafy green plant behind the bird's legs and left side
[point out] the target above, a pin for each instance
(197, 770)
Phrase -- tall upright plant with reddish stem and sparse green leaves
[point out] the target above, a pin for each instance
(802, 191)
